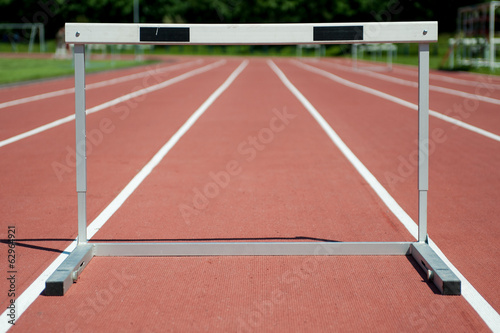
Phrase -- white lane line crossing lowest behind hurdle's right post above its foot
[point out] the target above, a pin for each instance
(397, 100)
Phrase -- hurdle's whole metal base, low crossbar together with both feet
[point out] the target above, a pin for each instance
(68, 272)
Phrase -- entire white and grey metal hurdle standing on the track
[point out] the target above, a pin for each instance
(422, 33)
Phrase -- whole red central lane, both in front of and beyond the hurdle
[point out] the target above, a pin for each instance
(293, 183)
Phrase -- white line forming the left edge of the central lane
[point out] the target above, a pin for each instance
(36, 288)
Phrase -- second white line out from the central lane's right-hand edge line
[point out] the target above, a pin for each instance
(415, 85)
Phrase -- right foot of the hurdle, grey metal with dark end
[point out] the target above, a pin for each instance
(436, 269)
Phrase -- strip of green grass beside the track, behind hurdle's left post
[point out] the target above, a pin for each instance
(25, 69)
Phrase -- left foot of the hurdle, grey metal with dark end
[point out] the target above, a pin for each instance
(67, 273)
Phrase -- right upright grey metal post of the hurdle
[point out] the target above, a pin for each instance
(423, 139)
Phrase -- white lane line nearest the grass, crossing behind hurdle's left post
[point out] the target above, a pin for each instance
(99, 84)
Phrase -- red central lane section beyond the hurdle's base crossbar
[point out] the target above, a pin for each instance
(283, 177)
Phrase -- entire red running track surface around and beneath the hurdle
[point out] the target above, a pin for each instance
(255, 166)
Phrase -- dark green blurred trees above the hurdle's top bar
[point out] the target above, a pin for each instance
(54, 13)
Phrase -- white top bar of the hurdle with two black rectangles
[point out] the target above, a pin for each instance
(245, 34)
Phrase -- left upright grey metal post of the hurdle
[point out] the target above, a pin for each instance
(81, 146)
